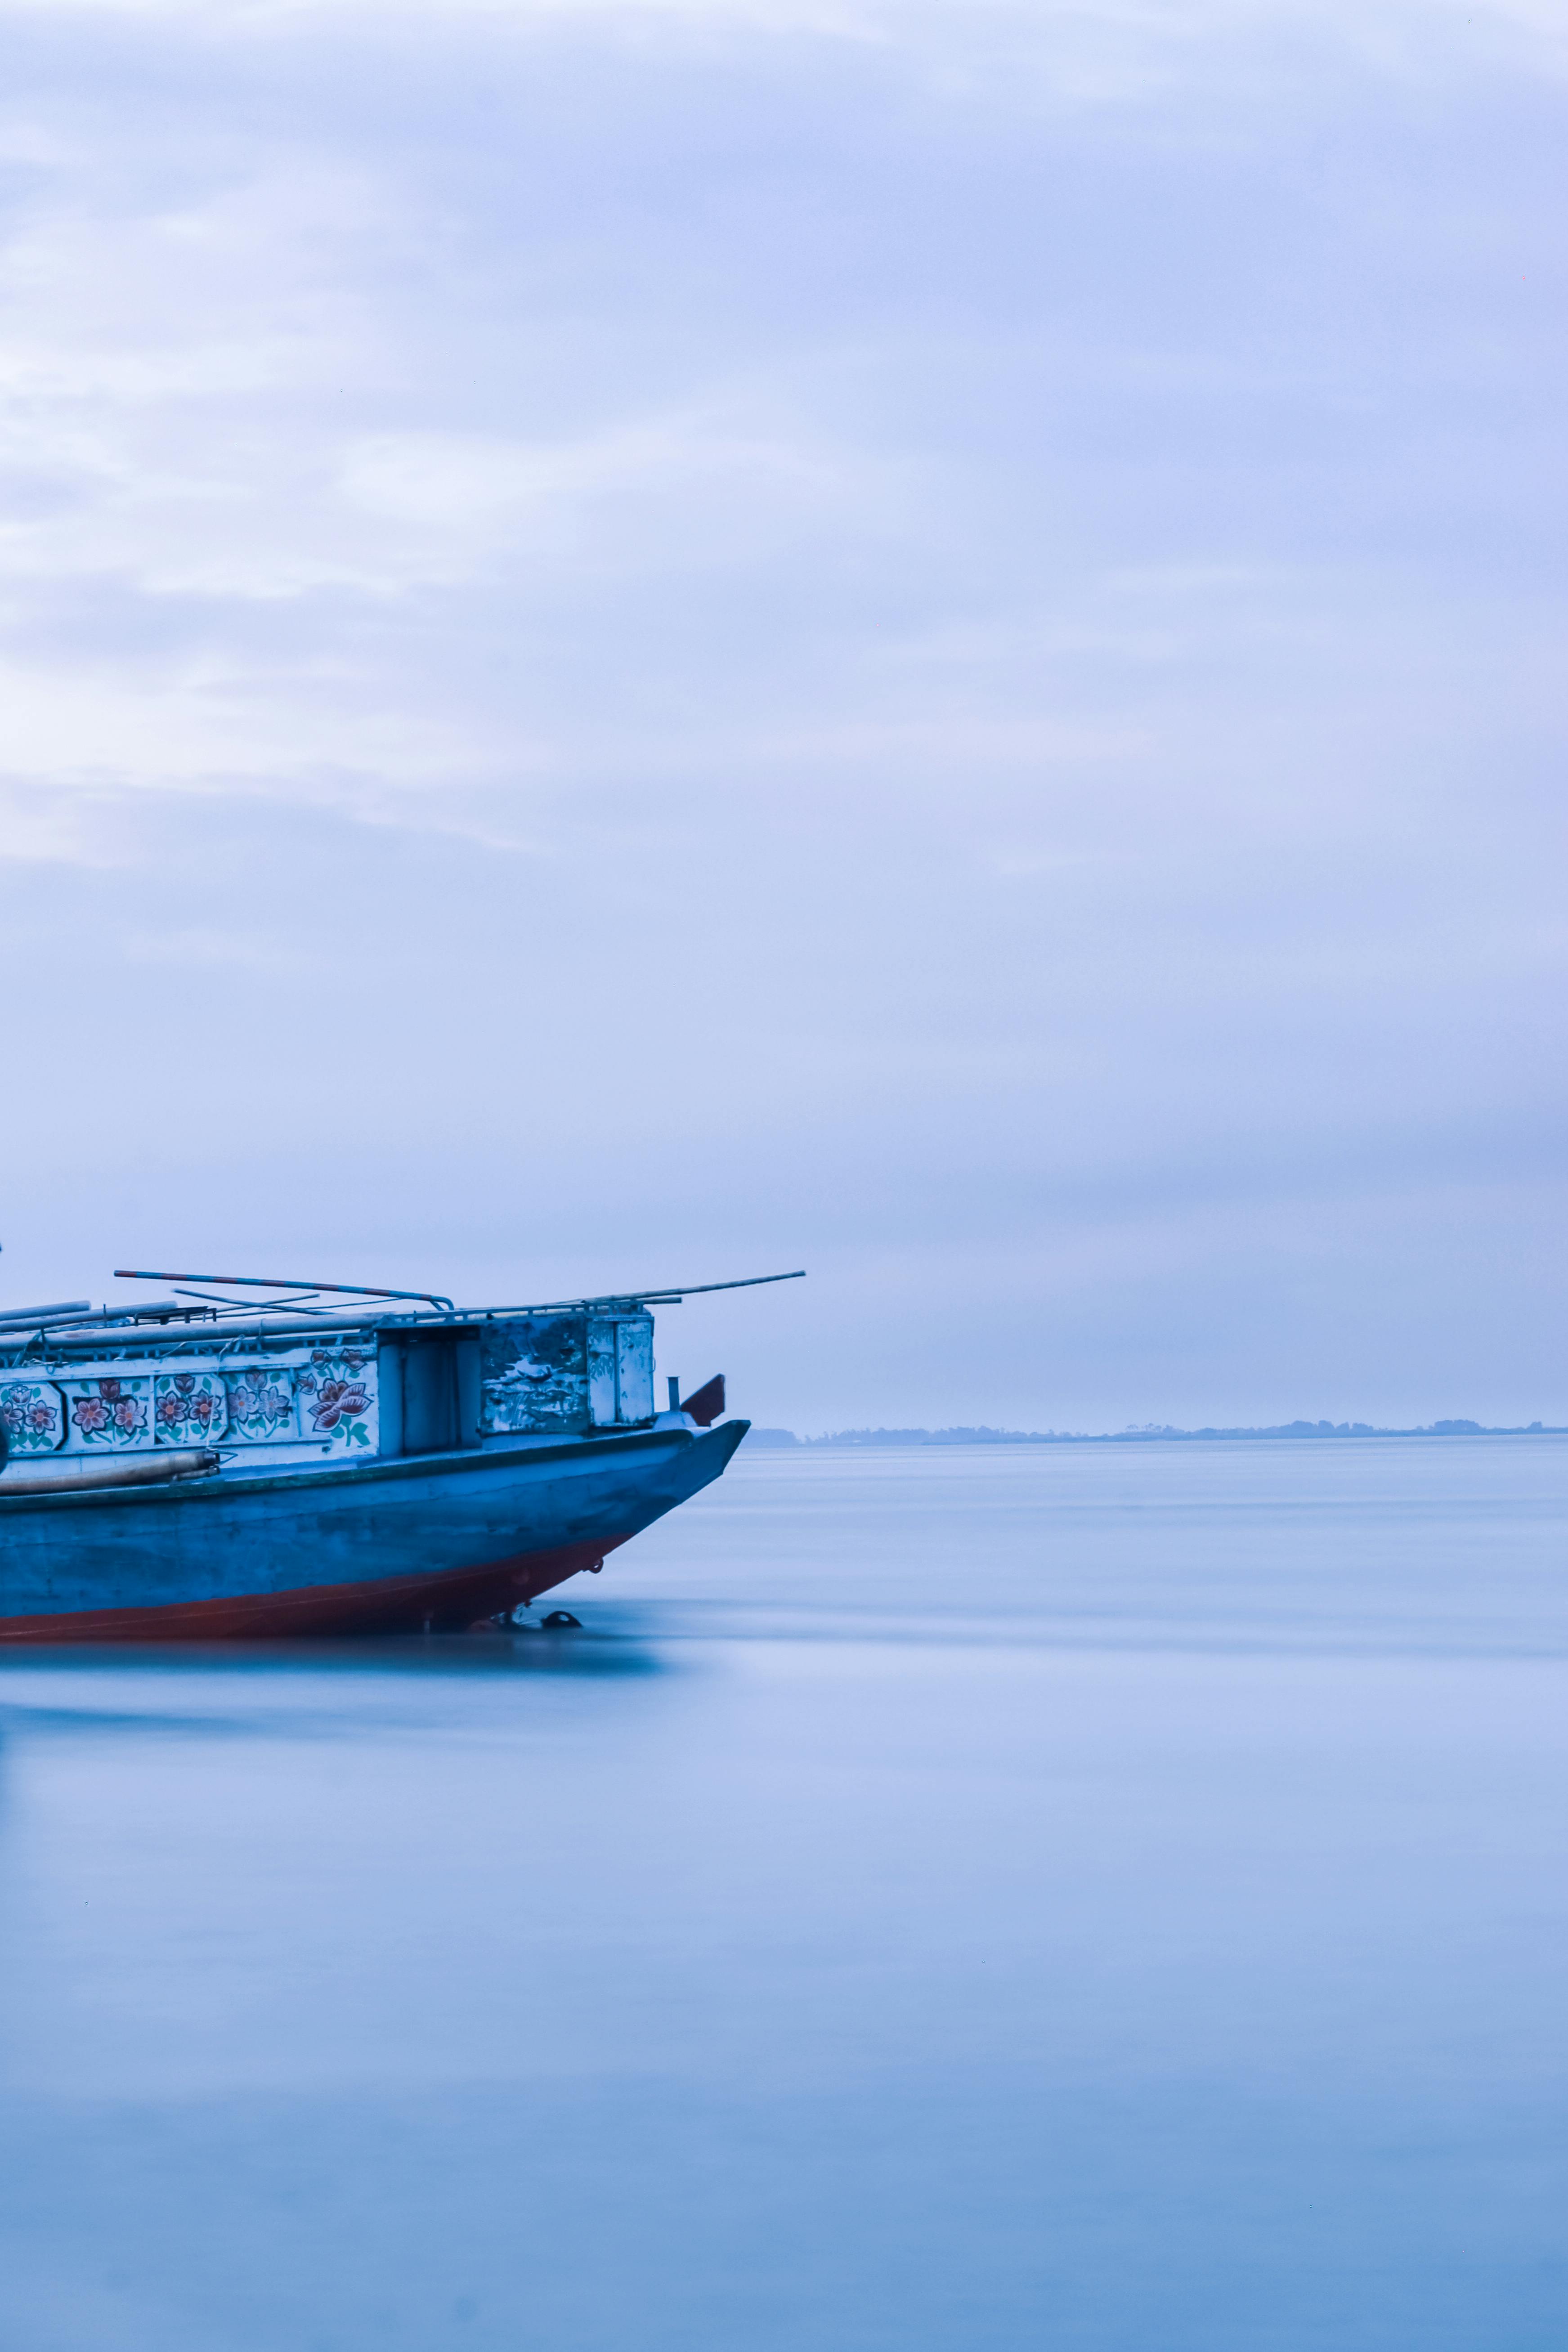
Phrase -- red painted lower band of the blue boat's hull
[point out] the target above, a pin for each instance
(387, 1605)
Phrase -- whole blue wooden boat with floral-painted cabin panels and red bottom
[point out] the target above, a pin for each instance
(201, 1469)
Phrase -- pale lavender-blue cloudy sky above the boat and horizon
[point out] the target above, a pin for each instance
(652, 643)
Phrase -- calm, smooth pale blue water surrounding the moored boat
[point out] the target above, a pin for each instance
(1050, 1899)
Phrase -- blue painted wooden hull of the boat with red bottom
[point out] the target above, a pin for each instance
(363, 1549)
